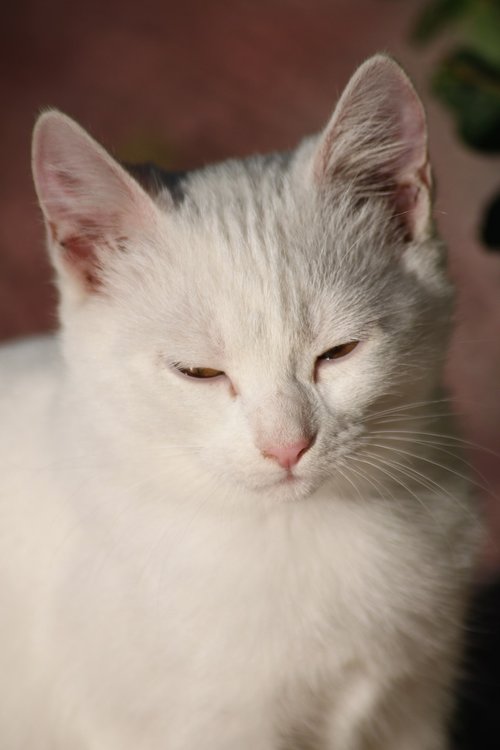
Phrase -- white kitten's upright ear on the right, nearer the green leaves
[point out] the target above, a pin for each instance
(376, 142)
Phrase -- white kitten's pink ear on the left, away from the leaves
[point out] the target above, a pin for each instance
(90, 204)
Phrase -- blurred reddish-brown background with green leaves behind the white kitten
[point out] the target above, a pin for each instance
(185, 83)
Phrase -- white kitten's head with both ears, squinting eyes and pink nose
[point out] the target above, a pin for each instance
(254, 319)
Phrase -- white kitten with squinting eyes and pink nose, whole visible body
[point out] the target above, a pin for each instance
(225, 521)
